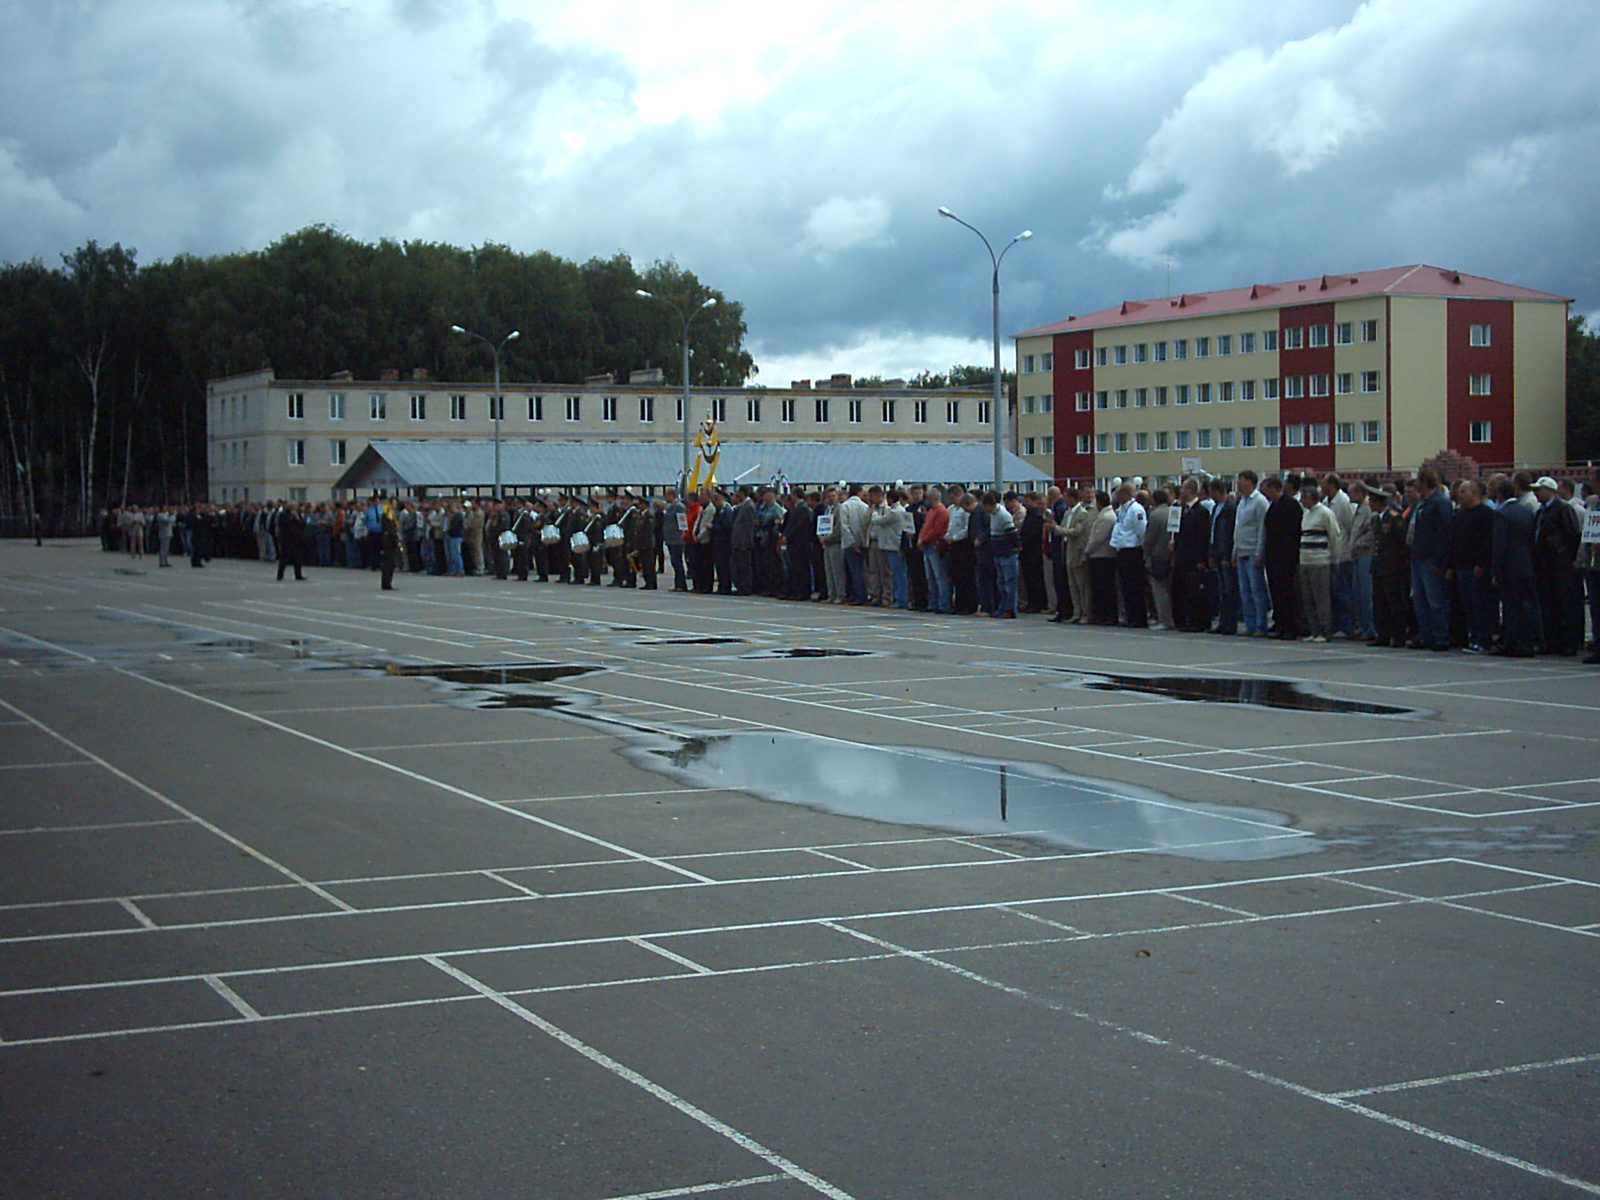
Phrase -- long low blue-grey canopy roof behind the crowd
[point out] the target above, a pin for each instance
(444, 466)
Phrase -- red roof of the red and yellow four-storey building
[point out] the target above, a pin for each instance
(1415, 281)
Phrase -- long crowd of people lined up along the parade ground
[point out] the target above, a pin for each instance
(1492, 566)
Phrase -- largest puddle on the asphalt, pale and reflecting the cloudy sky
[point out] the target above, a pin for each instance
(974, 796)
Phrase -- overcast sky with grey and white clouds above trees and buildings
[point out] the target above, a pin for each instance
(794, 156)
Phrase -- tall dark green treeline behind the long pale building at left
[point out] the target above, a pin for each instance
(105, 362)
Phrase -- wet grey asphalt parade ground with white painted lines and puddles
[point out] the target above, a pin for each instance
(486, 889)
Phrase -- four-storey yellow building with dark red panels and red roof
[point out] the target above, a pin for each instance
(1351, 374)
